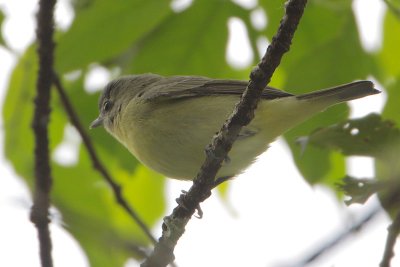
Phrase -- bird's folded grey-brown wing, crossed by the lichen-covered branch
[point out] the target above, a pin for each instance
(178, 87)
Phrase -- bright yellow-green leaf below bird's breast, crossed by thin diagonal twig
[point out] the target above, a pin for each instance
(91, 214)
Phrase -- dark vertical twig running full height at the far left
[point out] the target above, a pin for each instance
(43, 180)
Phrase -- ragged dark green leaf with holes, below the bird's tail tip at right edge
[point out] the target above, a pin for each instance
(369, 136)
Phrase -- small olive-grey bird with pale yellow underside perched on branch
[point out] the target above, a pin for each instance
(166, 122)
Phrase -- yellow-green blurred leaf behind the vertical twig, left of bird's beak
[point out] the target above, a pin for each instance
(18, 115)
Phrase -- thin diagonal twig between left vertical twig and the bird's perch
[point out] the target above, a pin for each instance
(116, 188)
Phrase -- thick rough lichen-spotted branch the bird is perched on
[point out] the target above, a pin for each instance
(174, 225)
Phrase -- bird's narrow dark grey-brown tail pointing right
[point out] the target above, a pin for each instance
(341, 93)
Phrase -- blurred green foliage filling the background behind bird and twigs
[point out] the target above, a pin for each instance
(148, 36)
